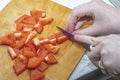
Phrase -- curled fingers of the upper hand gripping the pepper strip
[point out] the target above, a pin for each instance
(76, 14)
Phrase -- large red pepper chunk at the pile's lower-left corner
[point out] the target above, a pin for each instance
(19, 66)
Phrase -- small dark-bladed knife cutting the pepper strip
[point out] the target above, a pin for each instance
(71, 36)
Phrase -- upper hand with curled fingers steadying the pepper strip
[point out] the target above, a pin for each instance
(106, 19)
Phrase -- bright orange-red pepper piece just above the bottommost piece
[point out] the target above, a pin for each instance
(34, 62)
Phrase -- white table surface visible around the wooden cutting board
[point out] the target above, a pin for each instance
(84, 66)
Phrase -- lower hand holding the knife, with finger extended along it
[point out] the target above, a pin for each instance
(105, 54)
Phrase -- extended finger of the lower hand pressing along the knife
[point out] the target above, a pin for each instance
(89, 39)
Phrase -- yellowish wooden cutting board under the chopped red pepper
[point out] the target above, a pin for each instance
(69, 55)
